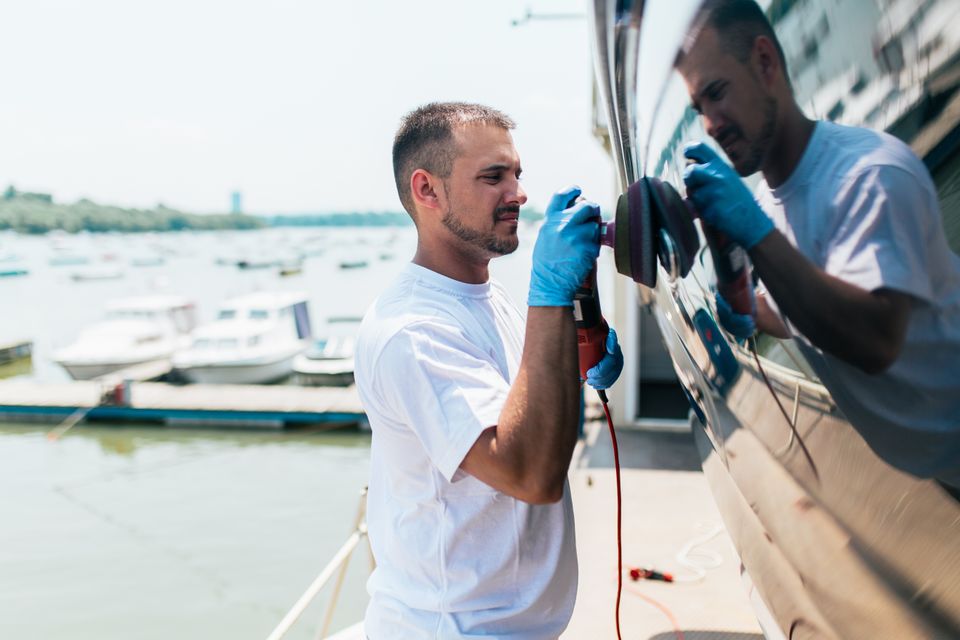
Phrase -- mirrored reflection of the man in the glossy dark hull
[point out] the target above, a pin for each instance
(845, 234)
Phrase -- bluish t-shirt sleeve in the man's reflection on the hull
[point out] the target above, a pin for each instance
(881, 241)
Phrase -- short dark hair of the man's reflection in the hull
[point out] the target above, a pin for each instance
(739, 23)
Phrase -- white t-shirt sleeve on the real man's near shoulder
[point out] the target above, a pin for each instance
(446, 389)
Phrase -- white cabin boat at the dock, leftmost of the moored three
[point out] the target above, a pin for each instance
(134, 331)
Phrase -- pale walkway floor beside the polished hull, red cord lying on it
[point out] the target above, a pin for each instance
(667, 504)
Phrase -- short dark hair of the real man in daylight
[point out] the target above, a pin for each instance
(425, 140)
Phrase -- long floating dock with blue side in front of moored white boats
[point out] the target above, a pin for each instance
(242, 406)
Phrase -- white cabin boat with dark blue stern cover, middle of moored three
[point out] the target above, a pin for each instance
(253, 341)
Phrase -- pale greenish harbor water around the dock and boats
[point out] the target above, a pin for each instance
(127, 531)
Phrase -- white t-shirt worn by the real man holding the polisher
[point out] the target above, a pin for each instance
(455, 558)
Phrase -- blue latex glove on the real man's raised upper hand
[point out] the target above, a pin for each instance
(566, 249)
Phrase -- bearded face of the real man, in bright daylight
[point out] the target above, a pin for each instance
(483, 190)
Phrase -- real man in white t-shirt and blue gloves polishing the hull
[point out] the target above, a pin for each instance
(474, 424)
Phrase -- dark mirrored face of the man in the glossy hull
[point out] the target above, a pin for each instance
(738, 111)
